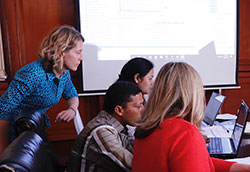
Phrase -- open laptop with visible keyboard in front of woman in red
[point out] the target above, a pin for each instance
(222, 147)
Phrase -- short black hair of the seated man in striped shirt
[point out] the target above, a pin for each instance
(119, 93)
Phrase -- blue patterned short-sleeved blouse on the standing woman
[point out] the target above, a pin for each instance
(34, 89)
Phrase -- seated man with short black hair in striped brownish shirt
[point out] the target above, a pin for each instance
(105, 143)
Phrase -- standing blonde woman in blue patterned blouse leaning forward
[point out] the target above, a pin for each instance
(40, 84)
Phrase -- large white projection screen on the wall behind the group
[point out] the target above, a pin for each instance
(202, 33)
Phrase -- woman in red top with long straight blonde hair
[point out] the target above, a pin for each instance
(168, 137)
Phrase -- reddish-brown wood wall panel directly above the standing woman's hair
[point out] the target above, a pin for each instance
(39, 17)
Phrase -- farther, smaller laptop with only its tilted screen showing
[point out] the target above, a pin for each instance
(212, 109)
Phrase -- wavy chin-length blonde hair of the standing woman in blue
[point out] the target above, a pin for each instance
(61, 39)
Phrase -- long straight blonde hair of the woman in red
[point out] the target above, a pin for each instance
(177, 92)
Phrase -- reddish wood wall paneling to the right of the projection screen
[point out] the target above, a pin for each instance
(234, 96)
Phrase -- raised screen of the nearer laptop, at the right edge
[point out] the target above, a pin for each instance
(240, 124)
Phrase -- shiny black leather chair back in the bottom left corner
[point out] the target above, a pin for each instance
(28, 152)
